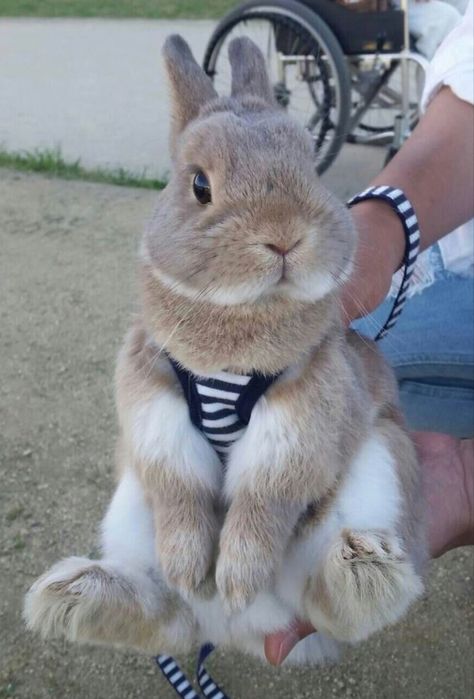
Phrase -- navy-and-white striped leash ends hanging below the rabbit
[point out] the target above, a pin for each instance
(180, 683)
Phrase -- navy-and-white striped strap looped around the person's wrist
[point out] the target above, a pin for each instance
(404, 210)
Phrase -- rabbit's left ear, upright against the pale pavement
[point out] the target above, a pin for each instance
(190, 86)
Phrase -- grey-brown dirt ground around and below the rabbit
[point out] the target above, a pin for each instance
(66, 296)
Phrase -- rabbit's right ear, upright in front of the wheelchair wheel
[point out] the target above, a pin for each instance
(249, 73)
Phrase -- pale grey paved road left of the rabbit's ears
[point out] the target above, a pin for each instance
(94, 87)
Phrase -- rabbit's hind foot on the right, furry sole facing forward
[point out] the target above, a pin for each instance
(366, 582)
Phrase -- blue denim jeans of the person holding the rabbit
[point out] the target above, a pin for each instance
(431, 349)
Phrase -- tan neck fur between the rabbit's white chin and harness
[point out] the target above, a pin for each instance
(260, 337)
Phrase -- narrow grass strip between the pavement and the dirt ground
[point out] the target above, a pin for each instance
(52, 163)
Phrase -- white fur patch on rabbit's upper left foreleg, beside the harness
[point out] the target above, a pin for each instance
(162, 432)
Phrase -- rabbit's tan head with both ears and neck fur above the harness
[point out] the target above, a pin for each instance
(244, 228)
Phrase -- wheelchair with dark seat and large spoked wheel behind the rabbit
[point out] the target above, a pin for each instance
(345, 71)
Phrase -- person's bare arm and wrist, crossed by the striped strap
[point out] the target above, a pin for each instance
(435, 169)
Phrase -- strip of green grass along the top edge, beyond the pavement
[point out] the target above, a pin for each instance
(156, 9)
